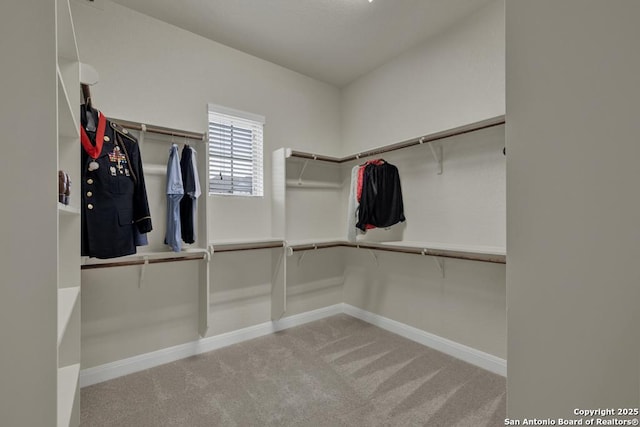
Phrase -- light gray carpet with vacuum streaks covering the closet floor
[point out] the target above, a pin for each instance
(338, 371)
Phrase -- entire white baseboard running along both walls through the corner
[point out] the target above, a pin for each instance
(130, 365)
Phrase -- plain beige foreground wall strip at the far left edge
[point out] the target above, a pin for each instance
(28, 219)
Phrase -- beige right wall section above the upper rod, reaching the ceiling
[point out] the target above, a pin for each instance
(453, 79)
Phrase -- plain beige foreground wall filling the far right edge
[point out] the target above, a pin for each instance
(573, 208)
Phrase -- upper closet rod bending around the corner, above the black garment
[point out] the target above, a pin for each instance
(461, 130)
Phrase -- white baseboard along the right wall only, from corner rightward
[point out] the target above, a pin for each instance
(468, 354)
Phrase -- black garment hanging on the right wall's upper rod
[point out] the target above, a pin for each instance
(381, 201)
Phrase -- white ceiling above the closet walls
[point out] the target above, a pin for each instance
(334, 41)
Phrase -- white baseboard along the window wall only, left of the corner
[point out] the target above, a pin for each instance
(133, 364)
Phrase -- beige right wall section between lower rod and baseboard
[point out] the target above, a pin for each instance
(466, 306)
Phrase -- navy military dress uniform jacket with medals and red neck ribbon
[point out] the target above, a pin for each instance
(114, 198)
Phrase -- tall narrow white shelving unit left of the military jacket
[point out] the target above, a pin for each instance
(68, 280)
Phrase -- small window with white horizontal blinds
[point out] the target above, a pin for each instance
(235, 152)
